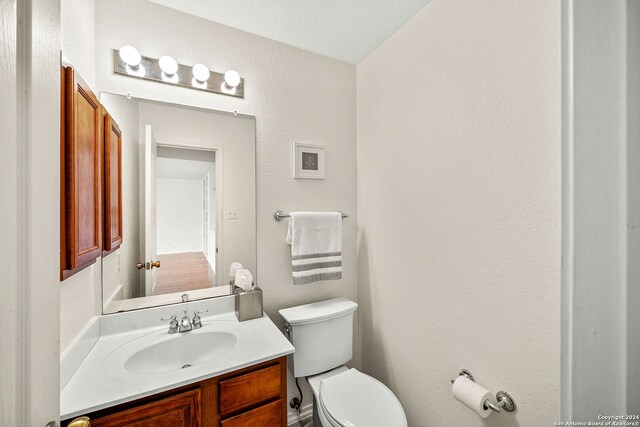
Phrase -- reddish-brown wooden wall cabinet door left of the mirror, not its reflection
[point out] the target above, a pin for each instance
(81, 151)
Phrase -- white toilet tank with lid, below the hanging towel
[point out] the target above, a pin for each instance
(322, 333)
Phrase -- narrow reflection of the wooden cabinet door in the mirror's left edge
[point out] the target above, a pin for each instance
(112, 185)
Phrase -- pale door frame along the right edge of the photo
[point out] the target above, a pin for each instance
(600, 208)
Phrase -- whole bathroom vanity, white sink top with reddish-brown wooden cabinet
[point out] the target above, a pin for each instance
(226, 373)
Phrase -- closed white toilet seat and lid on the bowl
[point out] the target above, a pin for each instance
(354, 399)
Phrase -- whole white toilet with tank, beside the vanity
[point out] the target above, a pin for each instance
(322, 334)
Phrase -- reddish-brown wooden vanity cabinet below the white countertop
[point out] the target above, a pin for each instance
(251, 397)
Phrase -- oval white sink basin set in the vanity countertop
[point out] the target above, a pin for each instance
(180, 351)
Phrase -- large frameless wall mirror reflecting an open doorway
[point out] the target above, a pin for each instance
(188, 203)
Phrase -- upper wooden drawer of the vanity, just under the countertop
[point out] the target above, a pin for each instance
(249, 389)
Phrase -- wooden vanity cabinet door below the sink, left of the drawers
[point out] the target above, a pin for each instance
(181, 410)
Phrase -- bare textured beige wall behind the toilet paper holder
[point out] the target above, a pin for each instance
(459, 208)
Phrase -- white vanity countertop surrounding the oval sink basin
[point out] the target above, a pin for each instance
(99, 383)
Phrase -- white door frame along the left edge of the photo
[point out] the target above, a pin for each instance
(30, 212)
